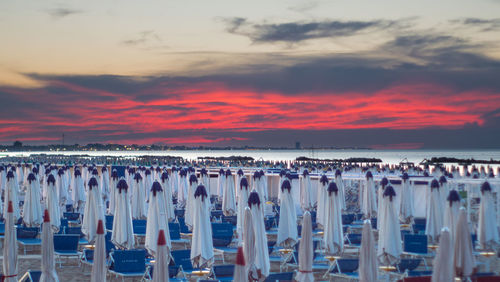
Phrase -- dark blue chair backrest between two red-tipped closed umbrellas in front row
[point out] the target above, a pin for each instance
(129, 261)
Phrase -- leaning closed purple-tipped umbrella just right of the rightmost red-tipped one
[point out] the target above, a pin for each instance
(261, 262)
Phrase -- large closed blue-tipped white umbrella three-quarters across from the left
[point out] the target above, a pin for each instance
(389, 236)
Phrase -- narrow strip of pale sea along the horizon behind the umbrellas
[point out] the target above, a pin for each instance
(387, 156)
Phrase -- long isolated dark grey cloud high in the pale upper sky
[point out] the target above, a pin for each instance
(294, 32)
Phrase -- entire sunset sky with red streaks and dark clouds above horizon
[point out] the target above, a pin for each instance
(382, 74)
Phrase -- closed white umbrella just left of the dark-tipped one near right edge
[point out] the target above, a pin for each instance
(434, 212)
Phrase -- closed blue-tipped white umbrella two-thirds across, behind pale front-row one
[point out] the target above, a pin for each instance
(333, 235)
